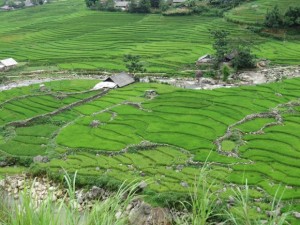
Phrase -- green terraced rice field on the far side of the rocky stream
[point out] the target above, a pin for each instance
(70, 36)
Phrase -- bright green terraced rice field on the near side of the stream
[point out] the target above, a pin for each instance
(164, 140)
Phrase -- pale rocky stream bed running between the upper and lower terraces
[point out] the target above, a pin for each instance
(253, 77)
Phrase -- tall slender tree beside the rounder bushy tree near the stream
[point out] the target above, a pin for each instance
(220, 45)
